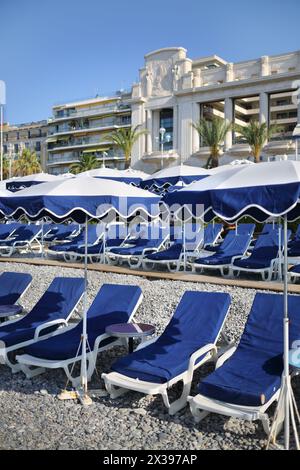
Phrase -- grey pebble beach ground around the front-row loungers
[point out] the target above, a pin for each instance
(33, 418)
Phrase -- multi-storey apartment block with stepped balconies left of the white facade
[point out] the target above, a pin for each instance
(83, 127)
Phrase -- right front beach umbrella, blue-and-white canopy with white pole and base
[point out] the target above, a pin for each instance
(260, 191)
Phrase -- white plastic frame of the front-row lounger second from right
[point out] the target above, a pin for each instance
(118, 384)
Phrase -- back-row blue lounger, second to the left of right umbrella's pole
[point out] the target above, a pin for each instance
(226, 254)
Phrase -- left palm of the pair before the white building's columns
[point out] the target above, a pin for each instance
(213, 133)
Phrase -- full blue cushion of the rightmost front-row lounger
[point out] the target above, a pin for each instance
(253, 374)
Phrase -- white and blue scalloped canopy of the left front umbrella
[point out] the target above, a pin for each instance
(79, 198)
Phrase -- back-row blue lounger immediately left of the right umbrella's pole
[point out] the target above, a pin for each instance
(264, 258)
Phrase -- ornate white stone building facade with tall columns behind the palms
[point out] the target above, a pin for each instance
(174, 91)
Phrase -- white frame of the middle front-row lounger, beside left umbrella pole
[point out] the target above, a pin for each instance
(33, 366)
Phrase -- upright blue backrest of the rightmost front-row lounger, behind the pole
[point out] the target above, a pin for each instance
(264, 328)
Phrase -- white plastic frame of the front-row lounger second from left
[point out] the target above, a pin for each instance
(4, 351)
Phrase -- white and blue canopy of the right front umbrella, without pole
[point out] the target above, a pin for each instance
(261, 191)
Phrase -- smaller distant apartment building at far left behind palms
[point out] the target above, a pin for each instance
(31, 135)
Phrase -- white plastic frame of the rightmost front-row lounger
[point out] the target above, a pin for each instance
(201, 406)
